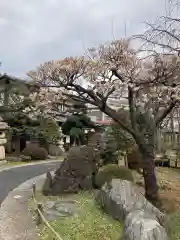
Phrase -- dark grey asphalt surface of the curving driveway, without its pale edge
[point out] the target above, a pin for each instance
(11, 178)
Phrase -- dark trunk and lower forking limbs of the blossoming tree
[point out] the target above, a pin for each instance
(143, 131)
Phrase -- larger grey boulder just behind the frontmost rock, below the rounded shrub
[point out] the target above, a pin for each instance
(120, 197)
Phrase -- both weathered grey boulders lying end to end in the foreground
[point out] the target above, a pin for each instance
(142, 221)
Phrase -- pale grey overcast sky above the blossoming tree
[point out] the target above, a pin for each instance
(35, 31)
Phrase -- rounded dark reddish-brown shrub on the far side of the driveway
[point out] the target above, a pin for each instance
(35, 152)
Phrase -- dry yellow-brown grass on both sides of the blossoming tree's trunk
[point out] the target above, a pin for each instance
(169, 191)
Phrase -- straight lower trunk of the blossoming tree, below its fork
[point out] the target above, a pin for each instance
(150, 181)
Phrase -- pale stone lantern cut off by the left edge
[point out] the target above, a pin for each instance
(3, 140)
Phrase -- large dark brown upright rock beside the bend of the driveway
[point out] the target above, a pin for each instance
(76, 171)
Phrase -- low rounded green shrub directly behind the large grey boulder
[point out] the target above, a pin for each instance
(110, 171)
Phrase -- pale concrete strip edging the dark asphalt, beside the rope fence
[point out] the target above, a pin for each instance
(15, 222)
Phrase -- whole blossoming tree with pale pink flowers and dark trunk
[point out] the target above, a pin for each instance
(116, 70)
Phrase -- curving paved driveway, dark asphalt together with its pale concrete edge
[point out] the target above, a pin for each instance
(15, 221)
